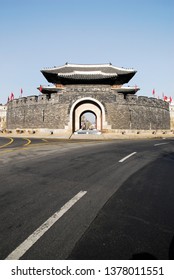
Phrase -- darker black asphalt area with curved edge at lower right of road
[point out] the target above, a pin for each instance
(137, 222)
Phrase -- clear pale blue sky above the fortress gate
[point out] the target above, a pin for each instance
(44, 33)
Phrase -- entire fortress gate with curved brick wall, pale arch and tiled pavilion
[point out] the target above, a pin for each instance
(77, 89)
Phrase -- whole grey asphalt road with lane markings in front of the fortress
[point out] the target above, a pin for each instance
(86, 199)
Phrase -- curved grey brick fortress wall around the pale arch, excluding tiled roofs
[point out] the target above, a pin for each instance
(121, 111)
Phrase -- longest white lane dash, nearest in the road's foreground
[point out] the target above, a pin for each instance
(23, 247)
